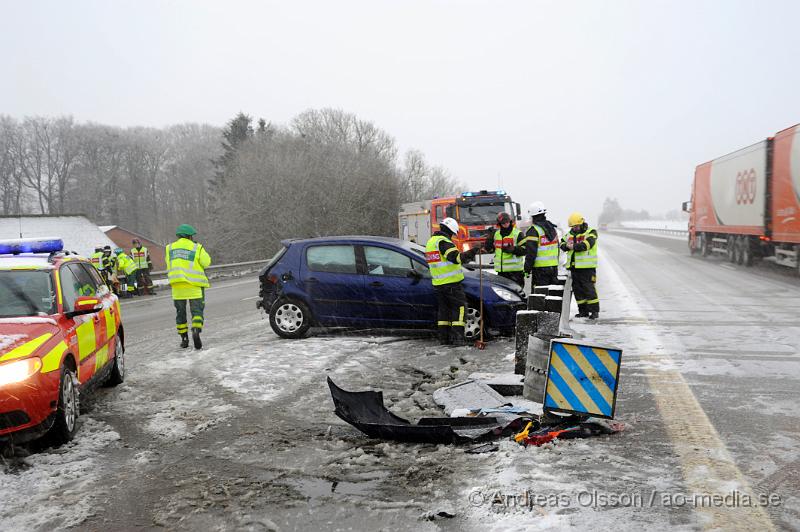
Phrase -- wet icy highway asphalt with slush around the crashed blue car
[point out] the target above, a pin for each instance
(241, 435)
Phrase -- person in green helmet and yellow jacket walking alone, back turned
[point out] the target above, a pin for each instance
(186, 264)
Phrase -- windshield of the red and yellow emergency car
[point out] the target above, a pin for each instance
(25, 293)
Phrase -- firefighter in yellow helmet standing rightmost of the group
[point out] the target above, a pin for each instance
(580, 244)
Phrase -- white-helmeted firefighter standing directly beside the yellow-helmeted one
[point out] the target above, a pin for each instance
(541, 248)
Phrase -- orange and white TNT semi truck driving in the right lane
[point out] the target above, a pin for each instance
(746, 205)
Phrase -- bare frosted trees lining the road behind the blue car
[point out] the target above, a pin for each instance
(245, 186)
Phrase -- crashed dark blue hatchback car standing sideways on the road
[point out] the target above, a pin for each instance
(369, 281)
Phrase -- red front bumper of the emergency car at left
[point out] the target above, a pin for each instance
(26, 407)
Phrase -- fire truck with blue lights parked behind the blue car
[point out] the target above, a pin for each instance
(475, 212)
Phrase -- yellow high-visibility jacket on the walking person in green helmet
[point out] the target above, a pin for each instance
(186, 264)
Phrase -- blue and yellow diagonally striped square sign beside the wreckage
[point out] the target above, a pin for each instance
(582, 379)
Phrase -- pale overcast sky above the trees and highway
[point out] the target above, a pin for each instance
(565, 102)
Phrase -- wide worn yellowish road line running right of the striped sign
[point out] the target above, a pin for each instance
(708, 467)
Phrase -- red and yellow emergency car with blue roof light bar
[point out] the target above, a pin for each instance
(61, 336)
